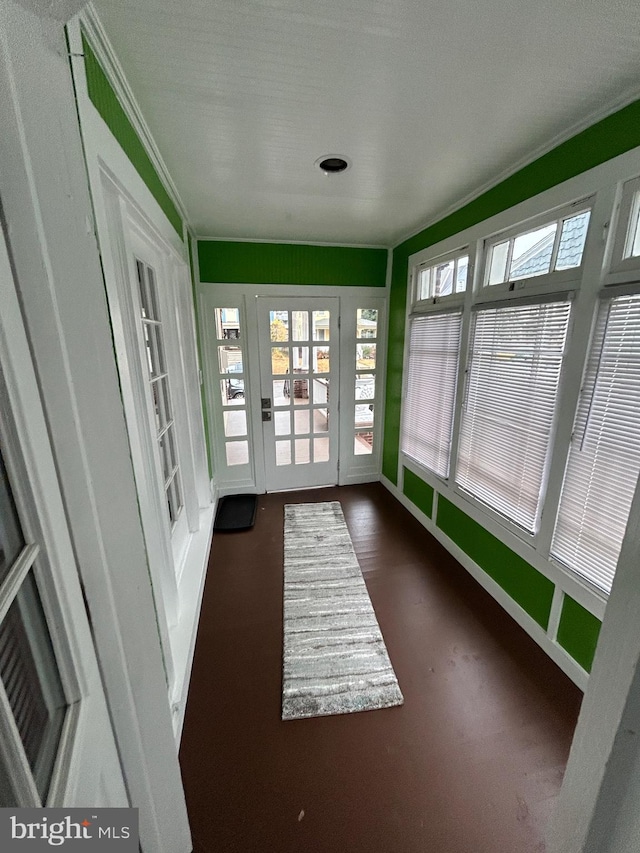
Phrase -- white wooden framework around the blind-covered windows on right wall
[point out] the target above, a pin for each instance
(602, 185)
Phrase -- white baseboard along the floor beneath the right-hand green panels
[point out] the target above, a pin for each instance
(566, 663)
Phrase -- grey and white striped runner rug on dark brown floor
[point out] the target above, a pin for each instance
(335, 660)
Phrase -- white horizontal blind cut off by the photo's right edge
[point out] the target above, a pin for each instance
(604, 457)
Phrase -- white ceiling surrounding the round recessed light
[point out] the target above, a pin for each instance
(430, 100)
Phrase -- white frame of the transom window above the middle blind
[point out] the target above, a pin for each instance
(550, 282)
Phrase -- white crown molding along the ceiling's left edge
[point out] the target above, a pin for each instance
(96, 34)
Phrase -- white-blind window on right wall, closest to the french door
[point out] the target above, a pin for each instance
(434, 349)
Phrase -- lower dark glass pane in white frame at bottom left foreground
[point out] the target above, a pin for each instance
(32, 682)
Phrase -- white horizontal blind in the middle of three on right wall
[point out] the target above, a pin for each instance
(510, 399)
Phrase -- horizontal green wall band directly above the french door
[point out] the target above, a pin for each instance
(231, 262)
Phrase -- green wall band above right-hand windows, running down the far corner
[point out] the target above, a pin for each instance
(604, 140)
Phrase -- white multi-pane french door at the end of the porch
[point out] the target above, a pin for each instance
(299, 385)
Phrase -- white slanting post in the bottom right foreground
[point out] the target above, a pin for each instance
(598, 806)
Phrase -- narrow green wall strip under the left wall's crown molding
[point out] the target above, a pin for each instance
(106, 102)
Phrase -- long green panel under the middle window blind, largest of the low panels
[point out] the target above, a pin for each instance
(530, 589)
